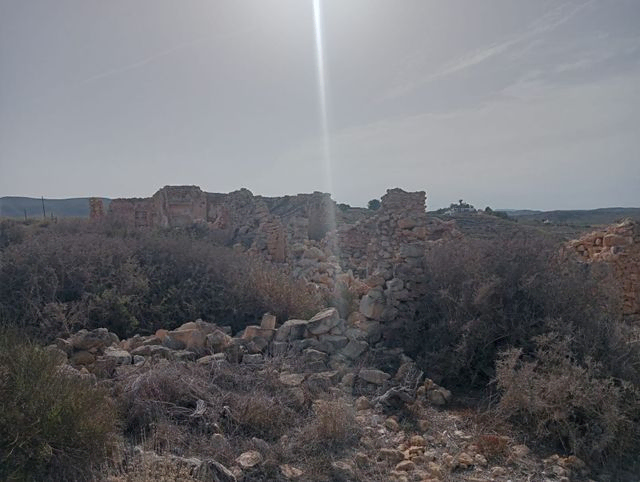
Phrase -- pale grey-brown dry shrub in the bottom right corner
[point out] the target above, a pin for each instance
(573, 405)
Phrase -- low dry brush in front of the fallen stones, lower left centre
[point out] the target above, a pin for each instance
(159, 404)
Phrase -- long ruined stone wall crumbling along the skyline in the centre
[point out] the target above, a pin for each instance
(374, 258)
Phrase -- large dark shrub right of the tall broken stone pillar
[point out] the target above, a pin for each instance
(482, 297)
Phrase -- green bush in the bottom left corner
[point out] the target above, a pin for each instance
(52, 426)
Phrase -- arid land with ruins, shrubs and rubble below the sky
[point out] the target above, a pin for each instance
(235, 337)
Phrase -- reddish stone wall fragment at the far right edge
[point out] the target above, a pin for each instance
(619, 247)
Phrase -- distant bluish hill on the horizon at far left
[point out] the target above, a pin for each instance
(15, 207)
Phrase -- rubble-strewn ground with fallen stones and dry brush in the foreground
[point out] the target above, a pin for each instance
(297, 415)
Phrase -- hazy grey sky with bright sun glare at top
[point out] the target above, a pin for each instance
(505, 103)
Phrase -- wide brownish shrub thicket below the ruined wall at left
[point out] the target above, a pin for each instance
(85, 275)
